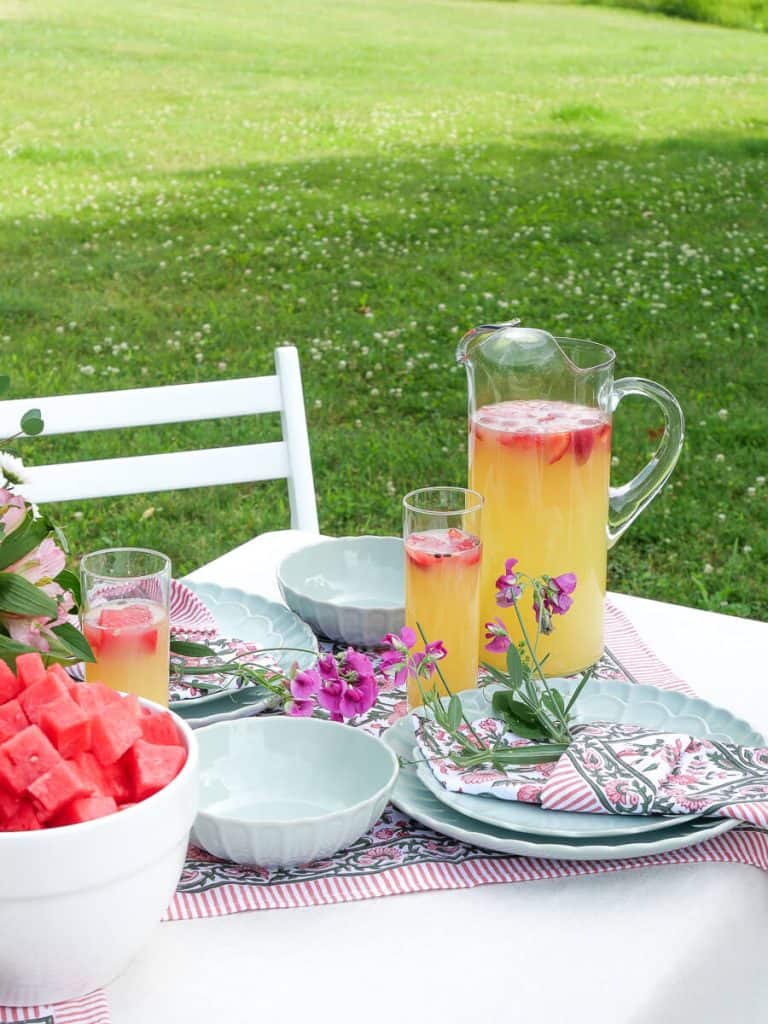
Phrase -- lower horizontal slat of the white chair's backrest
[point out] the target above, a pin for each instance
(169, 472)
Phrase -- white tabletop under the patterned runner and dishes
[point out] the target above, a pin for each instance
(660, 945)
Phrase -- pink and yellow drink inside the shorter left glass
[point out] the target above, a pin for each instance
(131, 641)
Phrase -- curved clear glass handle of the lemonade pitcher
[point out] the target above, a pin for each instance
(626, 503)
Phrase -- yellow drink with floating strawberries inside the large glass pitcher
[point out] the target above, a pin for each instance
(543, 468)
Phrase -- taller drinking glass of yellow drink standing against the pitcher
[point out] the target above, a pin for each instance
(442, 530)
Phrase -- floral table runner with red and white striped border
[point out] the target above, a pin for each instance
(403, 858)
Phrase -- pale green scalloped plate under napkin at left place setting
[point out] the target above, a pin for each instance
(255, 620)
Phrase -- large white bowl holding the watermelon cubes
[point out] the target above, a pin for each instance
(78, 903)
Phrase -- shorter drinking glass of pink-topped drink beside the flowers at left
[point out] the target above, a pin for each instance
(125, 616)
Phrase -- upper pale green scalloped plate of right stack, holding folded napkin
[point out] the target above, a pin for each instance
(602, 701)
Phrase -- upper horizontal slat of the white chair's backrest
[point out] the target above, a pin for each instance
(71, 414)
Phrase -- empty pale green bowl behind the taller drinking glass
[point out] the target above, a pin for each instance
(351, 589)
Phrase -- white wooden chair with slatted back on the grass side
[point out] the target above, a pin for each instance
(170, 472)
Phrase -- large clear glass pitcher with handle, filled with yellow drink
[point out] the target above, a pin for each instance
(540, 425)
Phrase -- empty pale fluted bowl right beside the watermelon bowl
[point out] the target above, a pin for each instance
(286, 791)
